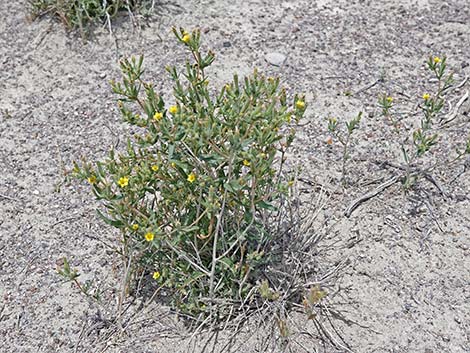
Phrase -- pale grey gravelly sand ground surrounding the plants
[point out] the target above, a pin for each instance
(407, 286)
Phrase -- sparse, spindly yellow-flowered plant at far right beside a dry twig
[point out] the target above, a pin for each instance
(417, 144)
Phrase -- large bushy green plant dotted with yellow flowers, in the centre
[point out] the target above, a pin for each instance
(193, 192)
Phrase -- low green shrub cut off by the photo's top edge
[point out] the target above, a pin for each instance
(82, 13)
